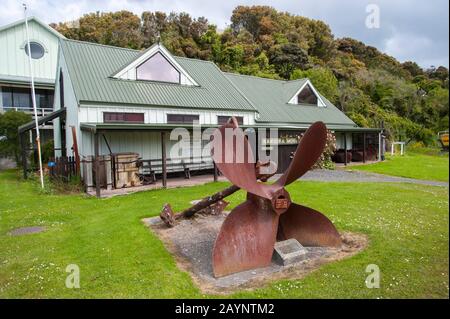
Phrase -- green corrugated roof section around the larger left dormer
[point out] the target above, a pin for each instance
(91, 66)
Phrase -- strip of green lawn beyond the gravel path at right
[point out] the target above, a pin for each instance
(412, 165)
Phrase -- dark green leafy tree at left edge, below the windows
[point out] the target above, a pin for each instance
(9, 124)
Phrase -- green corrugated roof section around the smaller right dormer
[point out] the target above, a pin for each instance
(270, 98)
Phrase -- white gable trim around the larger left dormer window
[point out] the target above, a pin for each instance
(129, 72)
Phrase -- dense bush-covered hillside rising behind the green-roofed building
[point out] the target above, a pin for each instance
(371, 87)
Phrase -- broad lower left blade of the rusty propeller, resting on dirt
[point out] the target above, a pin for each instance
(246, 239)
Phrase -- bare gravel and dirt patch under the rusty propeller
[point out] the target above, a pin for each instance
(191, 242)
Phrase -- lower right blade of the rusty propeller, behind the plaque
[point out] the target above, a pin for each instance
(308, 226)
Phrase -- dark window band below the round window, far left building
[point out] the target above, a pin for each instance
(20, 98)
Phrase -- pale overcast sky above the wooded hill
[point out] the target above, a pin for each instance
(414, 30)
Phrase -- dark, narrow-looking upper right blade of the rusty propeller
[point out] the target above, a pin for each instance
(308, 152)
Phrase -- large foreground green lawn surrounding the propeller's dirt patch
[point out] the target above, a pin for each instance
(118, 257)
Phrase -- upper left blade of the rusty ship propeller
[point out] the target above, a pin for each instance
(234, 158)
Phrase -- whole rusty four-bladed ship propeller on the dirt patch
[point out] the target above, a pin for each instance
(247, 237)
